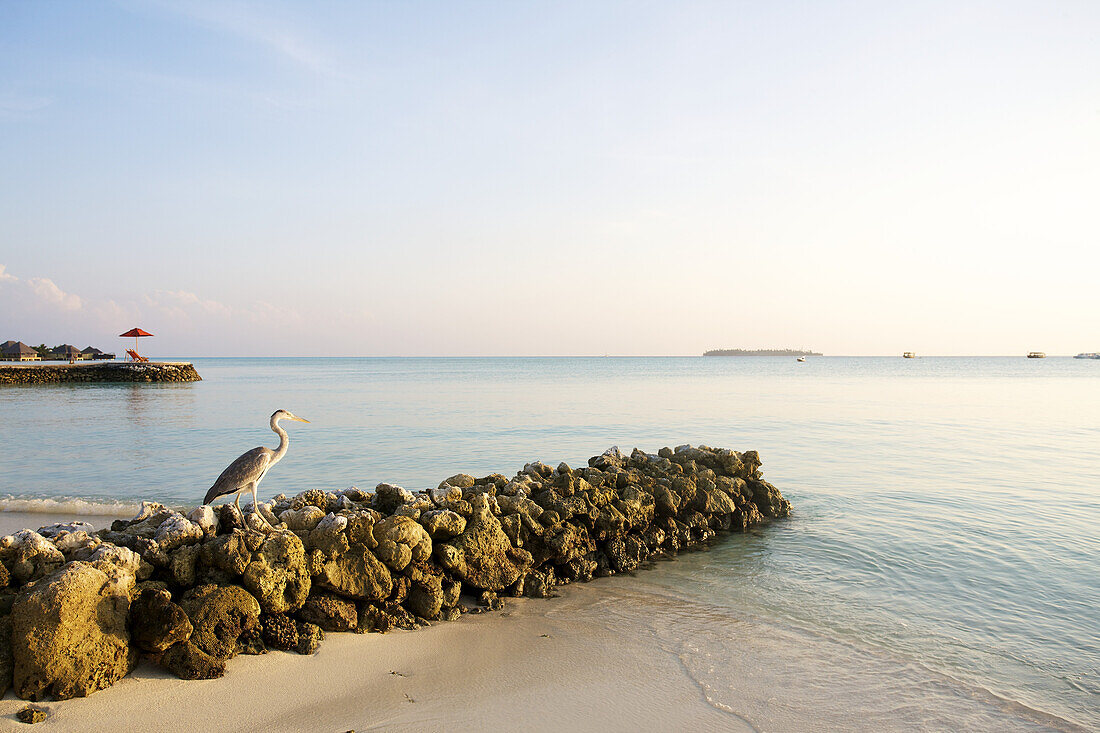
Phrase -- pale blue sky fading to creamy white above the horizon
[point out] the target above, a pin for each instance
(552, 179)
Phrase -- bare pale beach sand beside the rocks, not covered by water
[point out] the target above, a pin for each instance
(540, 665)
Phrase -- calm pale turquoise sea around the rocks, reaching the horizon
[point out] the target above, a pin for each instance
(947, 510)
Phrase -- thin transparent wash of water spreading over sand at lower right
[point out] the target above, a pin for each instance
(776, 674)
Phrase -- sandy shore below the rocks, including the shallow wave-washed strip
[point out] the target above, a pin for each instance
(610, 655)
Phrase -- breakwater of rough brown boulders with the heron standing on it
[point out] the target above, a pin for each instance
(191, 590)
